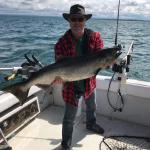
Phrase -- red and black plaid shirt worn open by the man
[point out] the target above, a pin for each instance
(67, 47)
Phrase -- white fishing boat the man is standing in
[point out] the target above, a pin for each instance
(122, 110)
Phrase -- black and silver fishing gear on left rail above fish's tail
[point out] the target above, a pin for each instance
(26, 69)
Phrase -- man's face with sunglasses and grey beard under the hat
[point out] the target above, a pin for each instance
(77, 25)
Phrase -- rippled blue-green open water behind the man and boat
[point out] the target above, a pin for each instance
(37, 35)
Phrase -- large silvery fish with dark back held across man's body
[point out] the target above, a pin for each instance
(68, 69)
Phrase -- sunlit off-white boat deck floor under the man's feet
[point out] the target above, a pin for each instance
(44, 132)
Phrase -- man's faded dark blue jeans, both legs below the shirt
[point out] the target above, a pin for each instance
(69, 118)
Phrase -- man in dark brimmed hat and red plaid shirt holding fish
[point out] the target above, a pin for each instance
(78, 41)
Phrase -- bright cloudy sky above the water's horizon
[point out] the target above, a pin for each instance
(129, 9)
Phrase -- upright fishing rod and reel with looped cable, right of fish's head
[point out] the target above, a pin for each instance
(121, 67)
